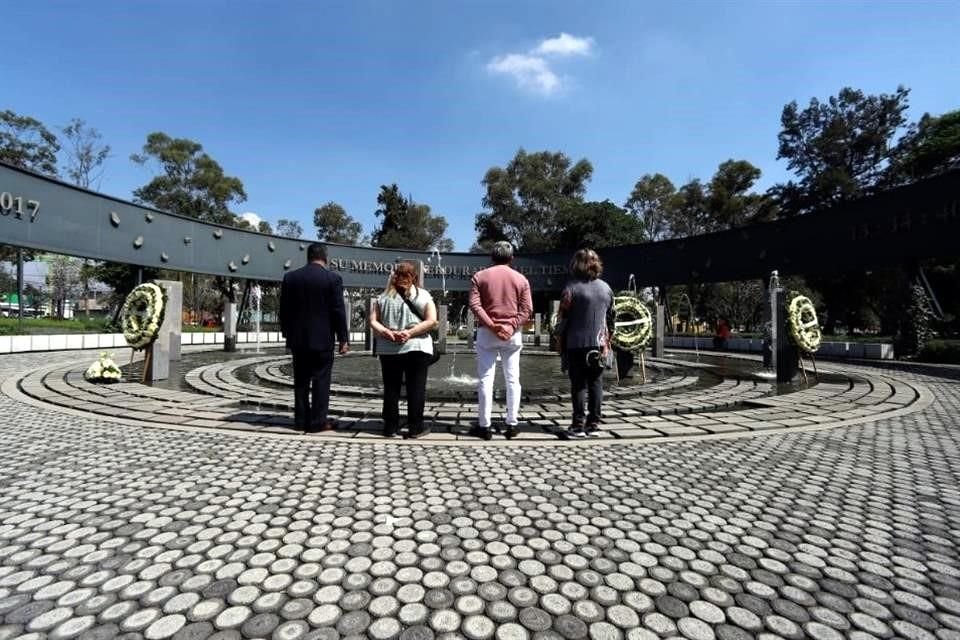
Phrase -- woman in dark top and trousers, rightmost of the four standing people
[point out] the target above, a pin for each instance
(586, 322)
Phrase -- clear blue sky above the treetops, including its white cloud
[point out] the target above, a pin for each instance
(309, 102)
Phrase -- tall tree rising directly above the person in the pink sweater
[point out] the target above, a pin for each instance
(526, 198)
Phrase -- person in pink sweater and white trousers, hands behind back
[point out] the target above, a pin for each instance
(500, 299)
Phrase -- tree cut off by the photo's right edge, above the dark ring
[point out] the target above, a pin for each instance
(929, 147)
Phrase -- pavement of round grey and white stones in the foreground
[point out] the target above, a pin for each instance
(111, 530)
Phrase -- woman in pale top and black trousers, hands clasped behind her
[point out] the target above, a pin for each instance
(402, 320)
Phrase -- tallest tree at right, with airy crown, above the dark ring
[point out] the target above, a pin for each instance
(838, 149)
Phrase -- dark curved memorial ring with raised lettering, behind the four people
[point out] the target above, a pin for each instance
(917, 221)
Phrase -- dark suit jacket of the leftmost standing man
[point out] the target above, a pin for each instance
(312, 313)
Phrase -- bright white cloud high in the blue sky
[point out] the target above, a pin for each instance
(532, 71)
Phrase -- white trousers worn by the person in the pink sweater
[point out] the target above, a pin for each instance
(489, 346)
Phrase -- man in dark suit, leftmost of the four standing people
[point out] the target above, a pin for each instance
(312, 315)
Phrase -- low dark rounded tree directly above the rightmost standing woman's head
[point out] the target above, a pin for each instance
(596, 224)
